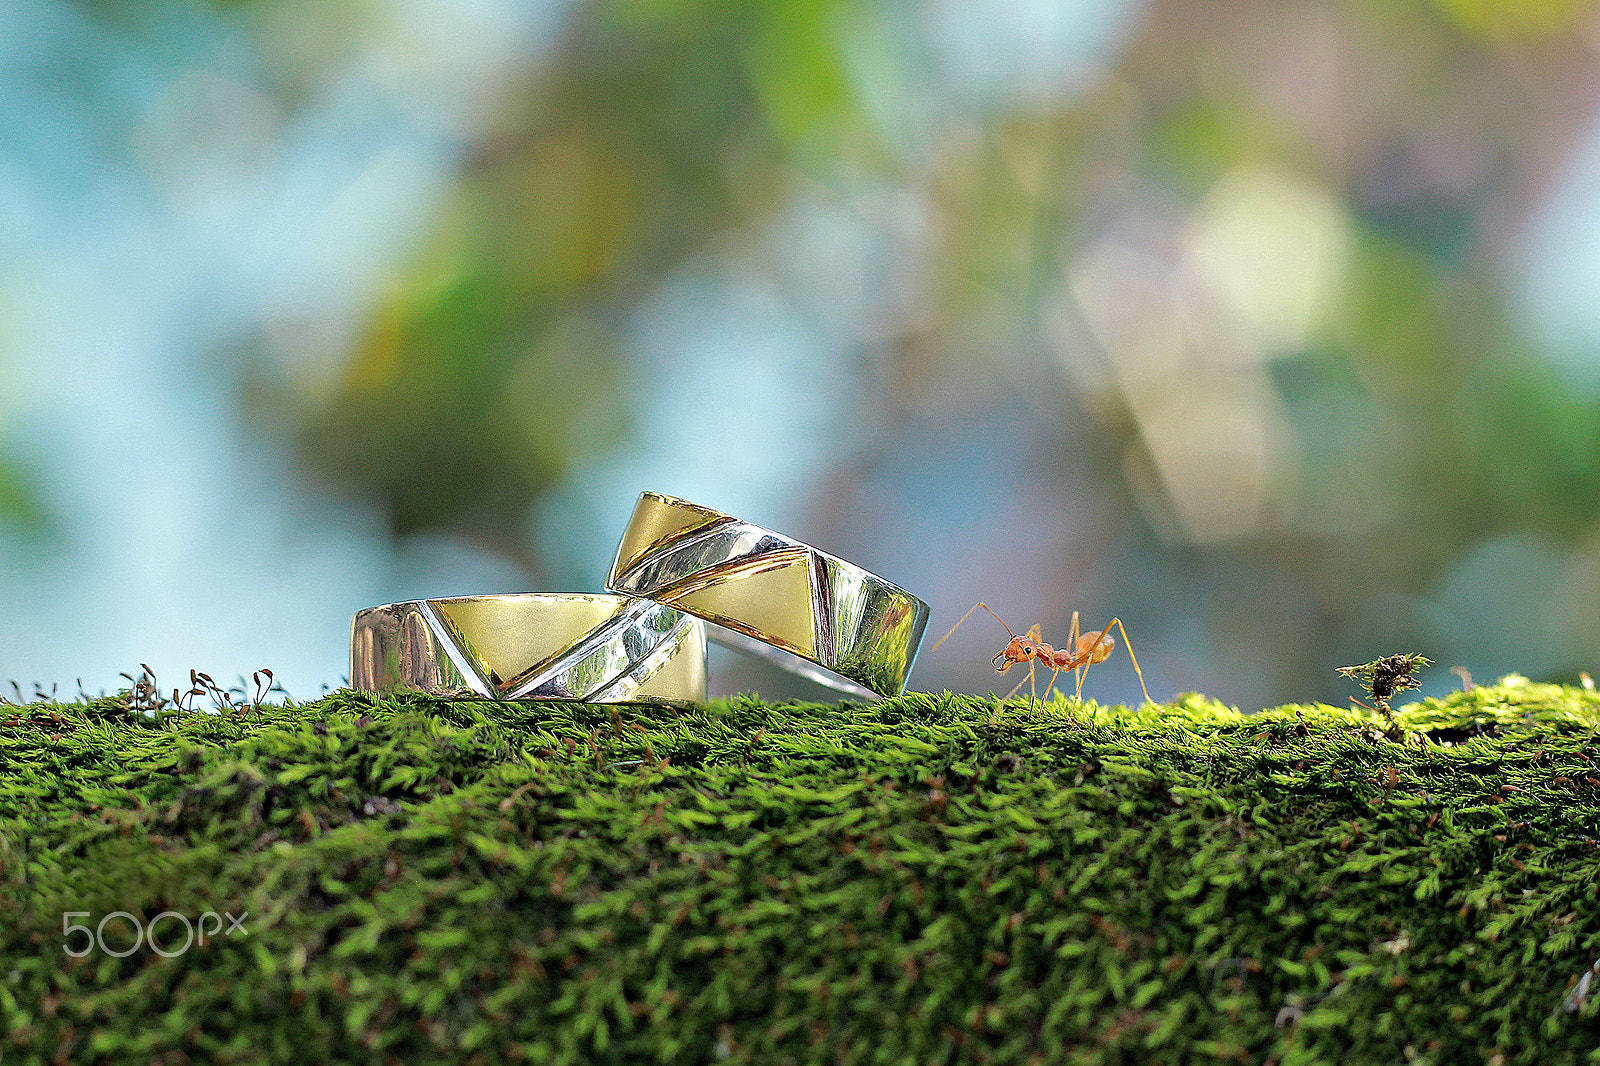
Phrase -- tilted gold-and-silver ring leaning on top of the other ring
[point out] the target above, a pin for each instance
(774, 596)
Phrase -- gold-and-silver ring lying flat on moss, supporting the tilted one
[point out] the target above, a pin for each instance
(598, 649)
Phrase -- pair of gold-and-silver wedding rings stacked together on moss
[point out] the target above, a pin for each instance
(678, 567)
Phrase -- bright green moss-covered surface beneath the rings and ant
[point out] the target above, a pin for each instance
(929, 880)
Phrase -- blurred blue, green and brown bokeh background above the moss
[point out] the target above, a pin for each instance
(1271, 327)
